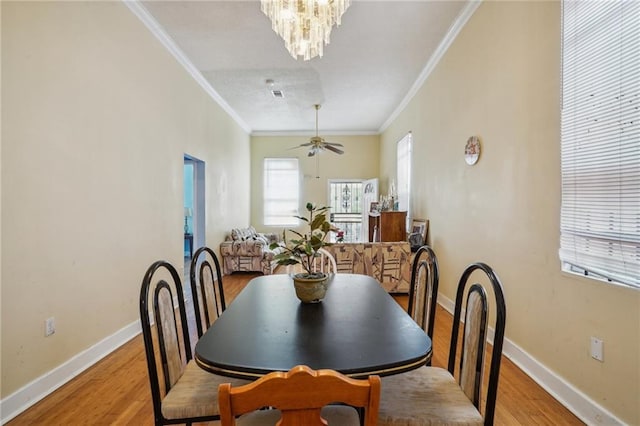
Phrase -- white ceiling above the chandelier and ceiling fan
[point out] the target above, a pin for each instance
(368, 69)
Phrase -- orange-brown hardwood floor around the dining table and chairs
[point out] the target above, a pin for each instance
(115, 391)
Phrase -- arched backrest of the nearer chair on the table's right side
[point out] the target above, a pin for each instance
(474, 338)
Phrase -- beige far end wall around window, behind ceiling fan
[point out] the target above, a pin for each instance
(360, 160)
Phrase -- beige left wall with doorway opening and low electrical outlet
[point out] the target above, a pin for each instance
(96, 119)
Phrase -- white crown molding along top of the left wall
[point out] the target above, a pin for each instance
(143, 14)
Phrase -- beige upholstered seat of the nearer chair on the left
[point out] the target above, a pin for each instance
(195, 394)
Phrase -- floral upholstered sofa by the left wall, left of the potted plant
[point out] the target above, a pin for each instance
(247, 250)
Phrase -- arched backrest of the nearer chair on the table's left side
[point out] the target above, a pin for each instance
(165, 334)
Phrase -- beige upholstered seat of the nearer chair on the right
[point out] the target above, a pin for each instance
(425, 396)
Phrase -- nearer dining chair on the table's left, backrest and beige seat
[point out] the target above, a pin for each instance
(181, 391)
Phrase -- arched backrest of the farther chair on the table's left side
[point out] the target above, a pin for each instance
(206, 288)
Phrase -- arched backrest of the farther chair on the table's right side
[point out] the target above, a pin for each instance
(423, 293)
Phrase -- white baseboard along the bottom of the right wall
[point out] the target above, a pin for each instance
(564, 392)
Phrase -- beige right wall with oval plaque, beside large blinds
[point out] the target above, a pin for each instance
(500, 80)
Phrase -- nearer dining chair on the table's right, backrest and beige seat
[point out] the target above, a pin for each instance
(453, 396)
